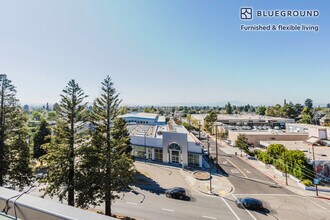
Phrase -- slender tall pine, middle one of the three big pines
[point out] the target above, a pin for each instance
(61, 157)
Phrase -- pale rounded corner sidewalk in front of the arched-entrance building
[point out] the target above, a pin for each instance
(220, 185)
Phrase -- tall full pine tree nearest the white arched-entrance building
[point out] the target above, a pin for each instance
(105, 164)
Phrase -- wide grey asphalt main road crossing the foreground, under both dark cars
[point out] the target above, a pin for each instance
(149, 201)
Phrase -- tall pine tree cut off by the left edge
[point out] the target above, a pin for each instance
(15, 167)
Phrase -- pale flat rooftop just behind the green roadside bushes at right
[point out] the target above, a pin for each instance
(321, 153)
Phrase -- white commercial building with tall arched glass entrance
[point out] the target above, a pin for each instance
(165, 143)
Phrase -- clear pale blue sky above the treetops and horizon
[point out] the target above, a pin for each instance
(163, 51)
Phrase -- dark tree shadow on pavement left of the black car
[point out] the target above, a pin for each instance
(144, 182)
